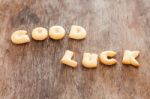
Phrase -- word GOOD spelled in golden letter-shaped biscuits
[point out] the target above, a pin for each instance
(55, 32)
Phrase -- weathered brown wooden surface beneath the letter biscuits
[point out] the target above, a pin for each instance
(33, 71)
